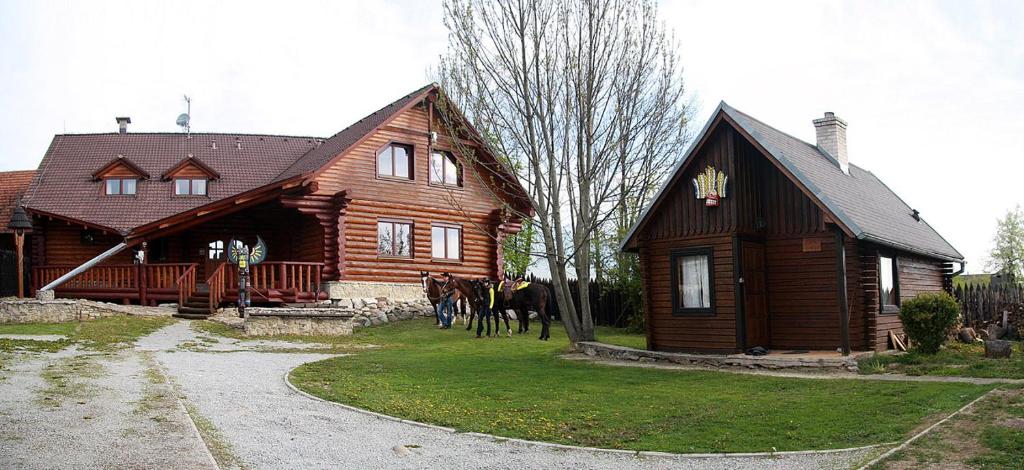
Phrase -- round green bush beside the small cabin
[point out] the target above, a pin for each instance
(928, 320)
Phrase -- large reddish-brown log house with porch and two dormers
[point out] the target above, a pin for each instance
(410, 188)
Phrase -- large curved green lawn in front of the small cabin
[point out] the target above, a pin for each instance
(520, 388)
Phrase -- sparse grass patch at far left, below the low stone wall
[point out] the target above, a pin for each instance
(109, 333)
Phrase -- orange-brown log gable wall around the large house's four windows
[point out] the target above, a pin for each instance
(372, 198)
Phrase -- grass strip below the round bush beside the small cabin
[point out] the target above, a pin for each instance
(956, 360)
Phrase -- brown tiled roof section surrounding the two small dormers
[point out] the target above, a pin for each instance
(64, 185)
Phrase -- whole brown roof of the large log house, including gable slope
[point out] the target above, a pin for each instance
(63, 187)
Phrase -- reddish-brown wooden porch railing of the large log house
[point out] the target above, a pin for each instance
(272, 282)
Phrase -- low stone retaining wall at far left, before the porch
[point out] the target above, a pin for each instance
(15, 311)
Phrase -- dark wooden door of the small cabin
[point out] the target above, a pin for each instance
(755, 294)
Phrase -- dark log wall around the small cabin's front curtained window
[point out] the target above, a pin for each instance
(698, 333)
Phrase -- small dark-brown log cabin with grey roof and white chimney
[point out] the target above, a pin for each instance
(759, 239)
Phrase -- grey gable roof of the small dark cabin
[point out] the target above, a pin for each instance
(860, 202)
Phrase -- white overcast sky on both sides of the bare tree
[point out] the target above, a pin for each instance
(933, 92)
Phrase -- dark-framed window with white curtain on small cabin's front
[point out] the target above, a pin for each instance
(692, 277)
